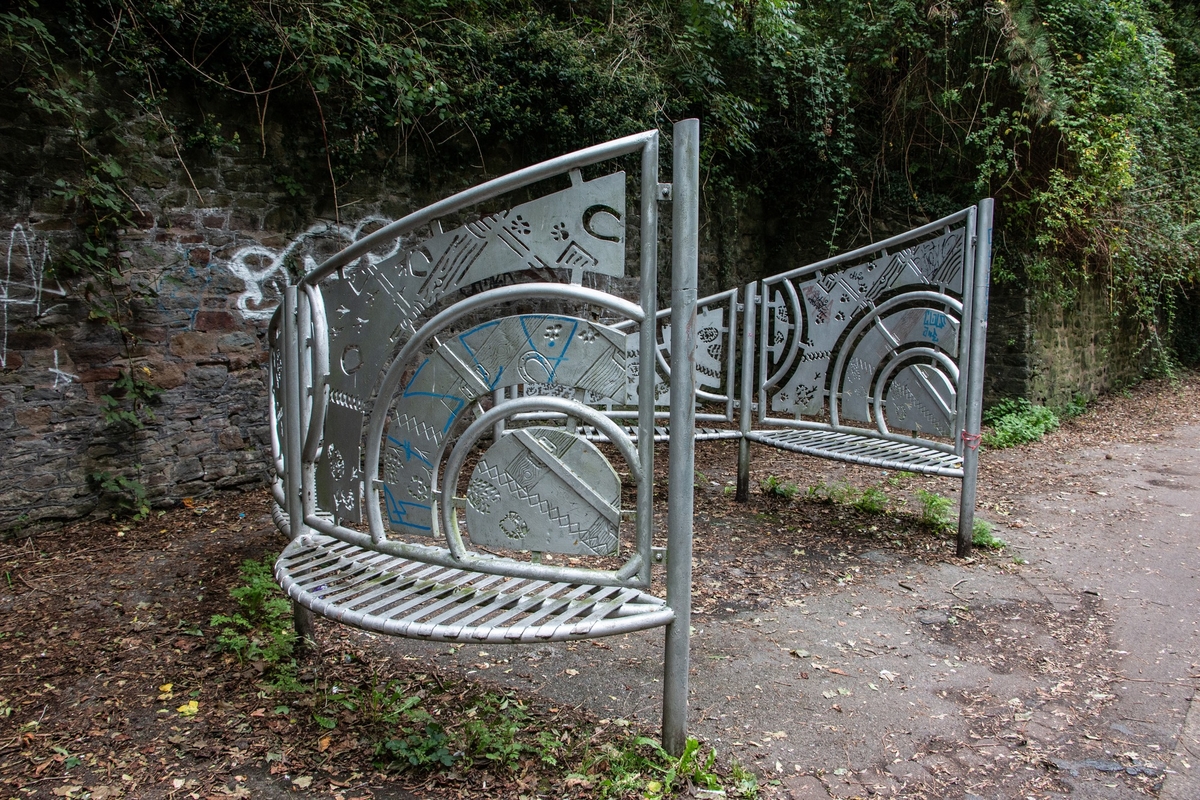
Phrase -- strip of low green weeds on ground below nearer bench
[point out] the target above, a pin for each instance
(413, 725)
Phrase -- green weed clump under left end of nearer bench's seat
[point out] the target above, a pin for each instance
(262, 630)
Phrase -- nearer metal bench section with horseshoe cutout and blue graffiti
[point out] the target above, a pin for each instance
(385, 372)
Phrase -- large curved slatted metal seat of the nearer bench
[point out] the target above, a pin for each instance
(405, 598)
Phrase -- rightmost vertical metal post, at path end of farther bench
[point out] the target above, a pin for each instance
(975, 376)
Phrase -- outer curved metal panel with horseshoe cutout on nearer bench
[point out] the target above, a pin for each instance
(374, 306)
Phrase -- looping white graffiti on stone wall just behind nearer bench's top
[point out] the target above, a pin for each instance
(266, 273)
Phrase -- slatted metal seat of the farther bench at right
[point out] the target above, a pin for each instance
(863, 450)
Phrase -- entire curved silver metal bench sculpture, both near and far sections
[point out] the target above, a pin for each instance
(436, 436)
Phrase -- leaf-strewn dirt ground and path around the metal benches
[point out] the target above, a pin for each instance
(839, 653)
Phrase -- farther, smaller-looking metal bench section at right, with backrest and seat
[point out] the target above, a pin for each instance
(874, 357)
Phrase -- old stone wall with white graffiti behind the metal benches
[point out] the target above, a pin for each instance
(211, 252)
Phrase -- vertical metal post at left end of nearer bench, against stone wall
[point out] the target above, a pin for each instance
(293, 441)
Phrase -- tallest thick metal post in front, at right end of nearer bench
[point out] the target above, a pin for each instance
(685, 245)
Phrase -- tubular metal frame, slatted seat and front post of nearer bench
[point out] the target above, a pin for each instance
(373, 580)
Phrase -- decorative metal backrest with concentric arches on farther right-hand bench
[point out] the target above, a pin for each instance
(873, 341)
